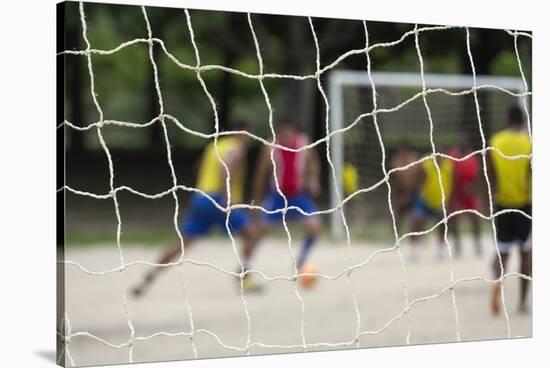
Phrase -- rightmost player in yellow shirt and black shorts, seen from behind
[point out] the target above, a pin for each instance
(511, 179)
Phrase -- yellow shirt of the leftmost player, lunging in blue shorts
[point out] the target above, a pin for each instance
(212, 176)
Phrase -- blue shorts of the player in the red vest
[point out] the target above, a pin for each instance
(275, 201)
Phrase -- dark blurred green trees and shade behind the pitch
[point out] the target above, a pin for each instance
(125, 90)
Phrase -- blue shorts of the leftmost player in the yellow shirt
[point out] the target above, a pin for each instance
(202, 214)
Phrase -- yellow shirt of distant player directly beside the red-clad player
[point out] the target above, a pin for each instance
(431, 191)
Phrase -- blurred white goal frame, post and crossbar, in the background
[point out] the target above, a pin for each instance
(350, 95)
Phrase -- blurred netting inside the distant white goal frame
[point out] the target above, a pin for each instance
(456, 121)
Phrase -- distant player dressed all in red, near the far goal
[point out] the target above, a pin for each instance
(465, 196)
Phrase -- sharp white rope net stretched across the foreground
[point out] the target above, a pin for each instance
(66, 334)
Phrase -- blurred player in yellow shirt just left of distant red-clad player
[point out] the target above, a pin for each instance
(428, 201)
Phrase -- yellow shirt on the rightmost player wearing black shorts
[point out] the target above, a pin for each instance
(513, 177)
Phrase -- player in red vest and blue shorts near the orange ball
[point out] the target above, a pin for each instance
(298, 179)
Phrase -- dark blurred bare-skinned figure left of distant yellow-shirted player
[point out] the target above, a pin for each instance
(404, 183)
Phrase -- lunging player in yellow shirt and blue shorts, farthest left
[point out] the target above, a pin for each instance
(202, 214)
